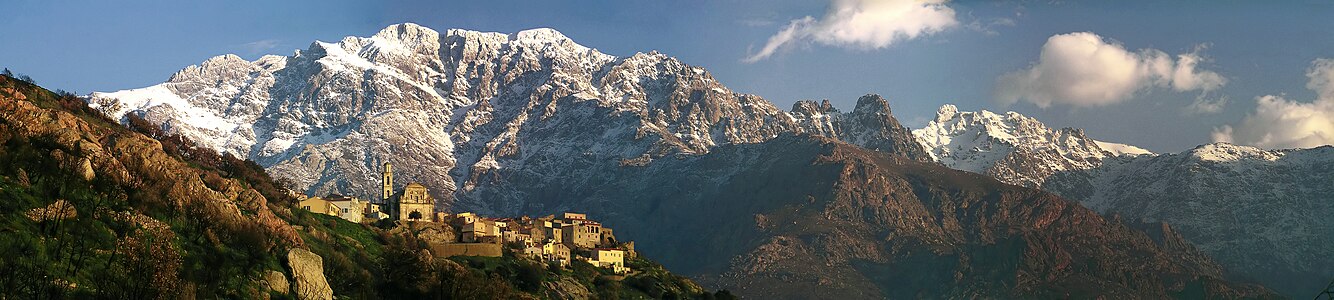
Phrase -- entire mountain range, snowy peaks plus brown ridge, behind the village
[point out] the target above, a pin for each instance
(741, 194)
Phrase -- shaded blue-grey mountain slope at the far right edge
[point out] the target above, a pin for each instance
(1261, 214)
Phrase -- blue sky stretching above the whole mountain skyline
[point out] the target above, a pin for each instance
(1256, 49)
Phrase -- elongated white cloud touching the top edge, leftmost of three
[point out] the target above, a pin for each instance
(866, 25)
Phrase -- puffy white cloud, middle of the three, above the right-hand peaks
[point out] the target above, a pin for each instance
(1085, 70)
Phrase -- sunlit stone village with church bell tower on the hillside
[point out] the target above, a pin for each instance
(553, 239)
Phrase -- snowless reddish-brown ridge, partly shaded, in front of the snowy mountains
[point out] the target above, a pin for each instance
(805, 218)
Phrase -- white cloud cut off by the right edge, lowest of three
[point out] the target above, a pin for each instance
(1281, 123)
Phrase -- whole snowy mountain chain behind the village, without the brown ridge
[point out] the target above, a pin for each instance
(513, 125)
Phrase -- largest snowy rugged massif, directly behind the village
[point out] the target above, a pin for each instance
(469, 114)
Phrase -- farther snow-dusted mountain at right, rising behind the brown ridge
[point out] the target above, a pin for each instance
(1261, 214)
